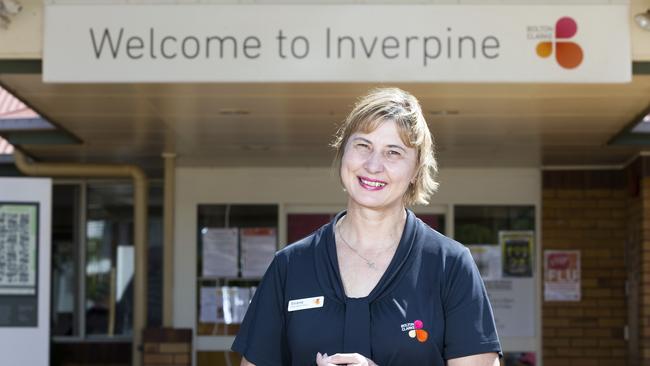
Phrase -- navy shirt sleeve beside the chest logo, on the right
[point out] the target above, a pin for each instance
(469, 322)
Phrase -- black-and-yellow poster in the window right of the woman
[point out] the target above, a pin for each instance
(517, 253)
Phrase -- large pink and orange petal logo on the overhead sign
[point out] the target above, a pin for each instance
(568, 54)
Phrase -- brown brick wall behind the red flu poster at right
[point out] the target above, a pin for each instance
(587, 211)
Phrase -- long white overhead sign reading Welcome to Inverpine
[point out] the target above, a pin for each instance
(345, 43)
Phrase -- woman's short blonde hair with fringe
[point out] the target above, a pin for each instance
(393, 104)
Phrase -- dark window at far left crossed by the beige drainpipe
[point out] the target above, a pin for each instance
(93, 259)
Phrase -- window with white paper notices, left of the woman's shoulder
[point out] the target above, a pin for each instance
(236, 243)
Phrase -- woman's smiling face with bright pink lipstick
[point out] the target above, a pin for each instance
(377, 167)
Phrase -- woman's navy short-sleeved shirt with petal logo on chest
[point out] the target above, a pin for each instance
(429, 306)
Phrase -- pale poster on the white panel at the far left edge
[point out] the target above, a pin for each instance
(18, 248)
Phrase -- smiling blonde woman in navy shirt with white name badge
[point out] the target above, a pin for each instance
(376, 285)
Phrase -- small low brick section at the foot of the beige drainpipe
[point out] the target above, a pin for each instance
(167, 346)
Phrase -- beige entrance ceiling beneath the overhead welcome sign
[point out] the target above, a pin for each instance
(495, 125)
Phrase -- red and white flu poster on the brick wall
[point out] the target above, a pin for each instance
(562, 275)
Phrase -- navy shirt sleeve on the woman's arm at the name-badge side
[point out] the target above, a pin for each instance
(262, 336)
